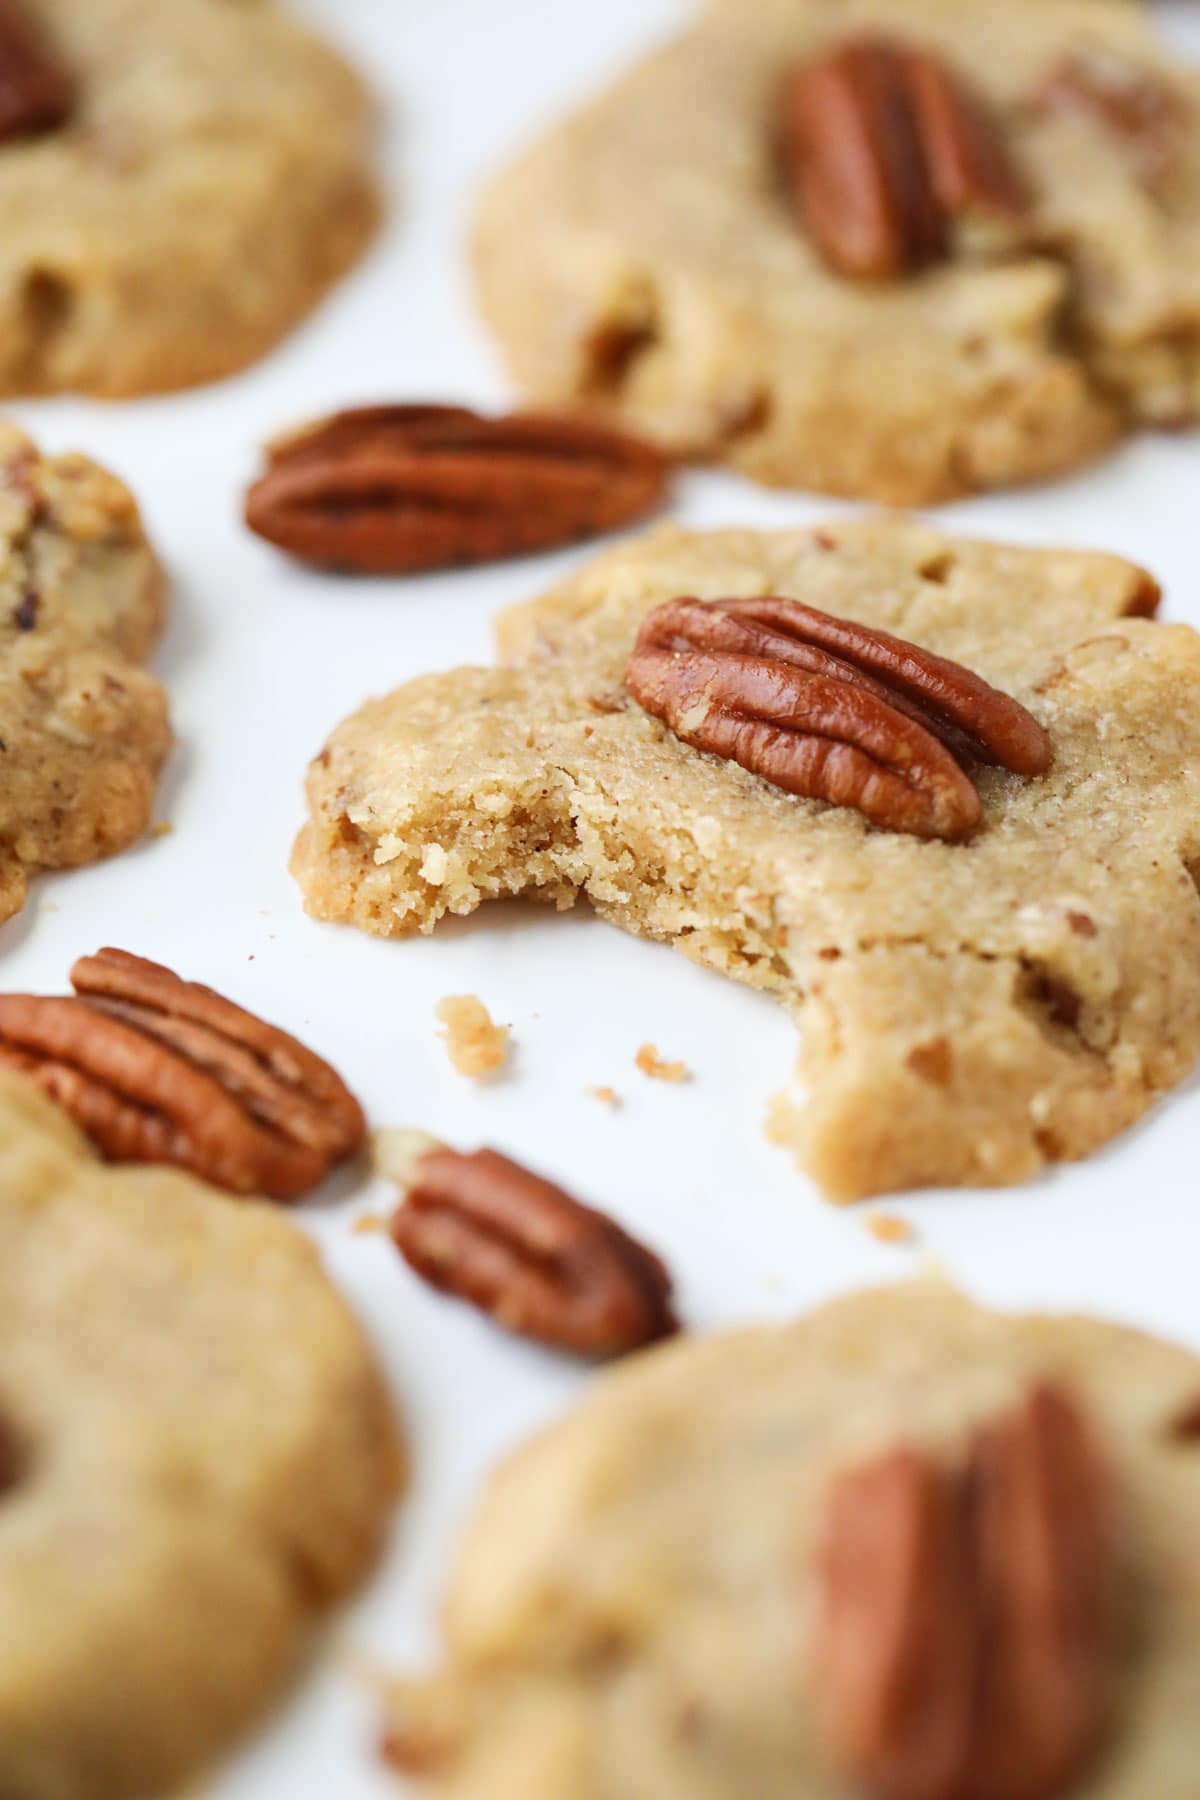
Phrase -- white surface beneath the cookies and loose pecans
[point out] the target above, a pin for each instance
(262, 661)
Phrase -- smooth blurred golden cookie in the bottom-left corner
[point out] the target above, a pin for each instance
(202, 1461)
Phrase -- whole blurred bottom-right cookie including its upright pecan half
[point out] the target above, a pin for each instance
(656, 1596)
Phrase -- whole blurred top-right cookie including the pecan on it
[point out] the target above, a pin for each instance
(886, 249)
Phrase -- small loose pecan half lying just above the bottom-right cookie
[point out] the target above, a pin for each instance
(544, 1266)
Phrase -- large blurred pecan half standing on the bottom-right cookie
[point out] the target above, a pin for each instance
(969, 1632)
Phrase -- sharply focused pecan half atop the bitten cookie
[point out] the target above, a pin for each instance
(832, 710)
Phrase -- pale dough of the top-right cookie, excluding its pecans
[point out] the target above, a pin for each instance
(643, 262)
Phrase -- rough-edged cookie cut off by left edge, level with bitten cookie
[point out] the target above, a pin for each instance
(84, 730)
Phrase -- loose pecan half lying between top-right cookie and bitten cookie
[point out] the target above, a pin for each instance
(397, 490)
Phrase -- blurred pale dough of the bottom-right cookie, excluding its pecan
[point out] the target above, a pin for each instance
(634, 1608)
